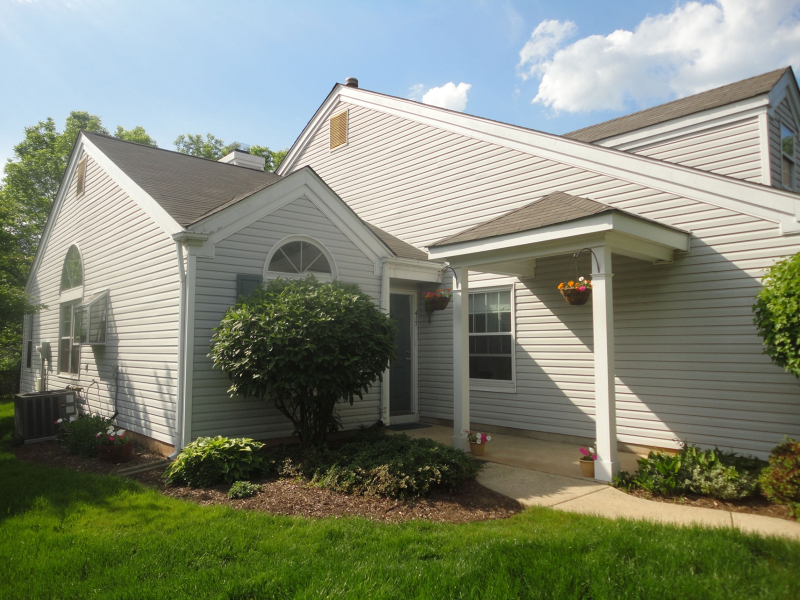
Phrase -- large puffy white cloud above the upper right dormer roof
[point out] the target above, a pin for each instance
(694, 48)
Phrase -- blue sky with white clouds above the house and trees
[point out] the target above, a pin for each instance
(255, 72)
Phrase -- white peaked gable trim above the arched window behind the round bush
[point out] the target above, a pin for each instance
(304, 183)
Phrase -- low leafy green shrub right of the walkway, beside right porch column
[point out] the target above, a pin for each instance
(714, 473)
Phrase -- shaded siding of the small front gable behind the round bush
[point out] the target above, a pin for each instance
(213, 411)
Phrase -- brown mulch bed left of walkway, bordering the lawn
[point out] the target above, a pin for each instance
(471, 502)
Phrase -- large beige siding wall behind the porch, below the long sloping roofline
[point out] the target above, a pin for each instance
(689, 362)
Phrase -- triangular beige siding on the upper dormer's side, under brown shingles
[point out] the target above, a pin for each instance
(731, 149)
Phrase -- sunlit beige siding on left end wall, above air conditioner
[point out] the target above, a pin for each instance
(124, 251)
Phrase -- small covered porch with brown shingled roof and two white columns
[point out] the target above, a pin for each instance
(556, 224)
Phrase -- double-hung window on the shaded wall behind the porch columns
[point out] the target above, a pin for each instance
(491, 336)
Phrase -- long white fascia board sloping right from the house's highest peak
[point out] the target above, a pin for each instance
(748, 198)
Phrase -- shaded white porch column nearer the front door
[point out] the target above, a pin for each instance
(461, 359)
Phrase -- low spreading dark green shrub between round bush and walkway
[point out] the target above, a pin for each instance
(375, 464)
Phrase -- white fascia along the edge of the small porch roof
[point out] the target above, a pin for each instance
(611, 221)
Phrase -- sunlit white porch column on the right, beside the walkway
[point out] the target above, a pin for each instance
(607, 463)
